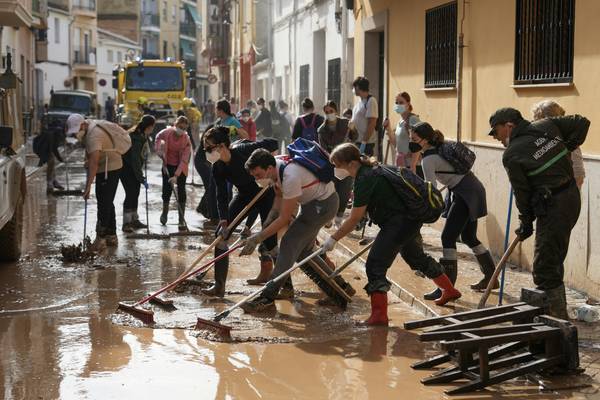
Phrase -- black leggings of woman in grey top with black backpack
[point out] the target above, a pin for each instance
(459, 223)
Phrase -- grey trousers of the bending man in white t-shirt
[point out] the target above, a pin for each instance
(299, 239)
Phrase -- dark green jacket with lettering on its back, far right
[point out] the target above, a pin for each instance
(537, 157)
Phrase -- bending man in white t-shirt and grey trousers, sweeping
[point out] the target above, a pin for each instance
(294, 185)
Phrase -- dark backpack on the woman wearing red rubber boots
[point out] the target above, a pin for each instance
(423, 201)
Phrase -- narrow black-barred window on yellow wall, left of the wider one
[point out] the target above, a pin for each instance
(440, 46)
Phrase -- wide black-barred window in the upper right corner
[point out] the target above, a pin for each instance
(544, 41)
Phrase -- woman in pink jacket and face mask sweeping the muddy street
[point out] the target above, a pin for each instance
(173, 145)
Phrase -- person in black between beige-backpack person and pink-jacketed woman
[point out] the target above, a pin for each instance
(132, 175)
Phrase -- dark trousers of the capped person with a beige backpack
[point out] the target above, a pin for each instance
(106, 189)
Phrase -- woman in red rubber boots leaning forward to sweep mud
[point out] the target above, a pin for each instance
(399, 231)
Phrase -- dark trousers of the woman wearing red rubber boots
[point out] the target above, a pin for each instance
(398, 235)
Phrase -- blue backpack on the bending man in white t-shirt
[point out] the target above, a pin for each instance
(312, 157)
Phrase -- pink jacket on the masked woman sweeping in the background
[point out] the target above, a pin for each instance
(175, 151)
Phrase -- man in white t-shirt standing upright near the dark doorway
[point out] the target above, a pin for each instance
(364, 116)
